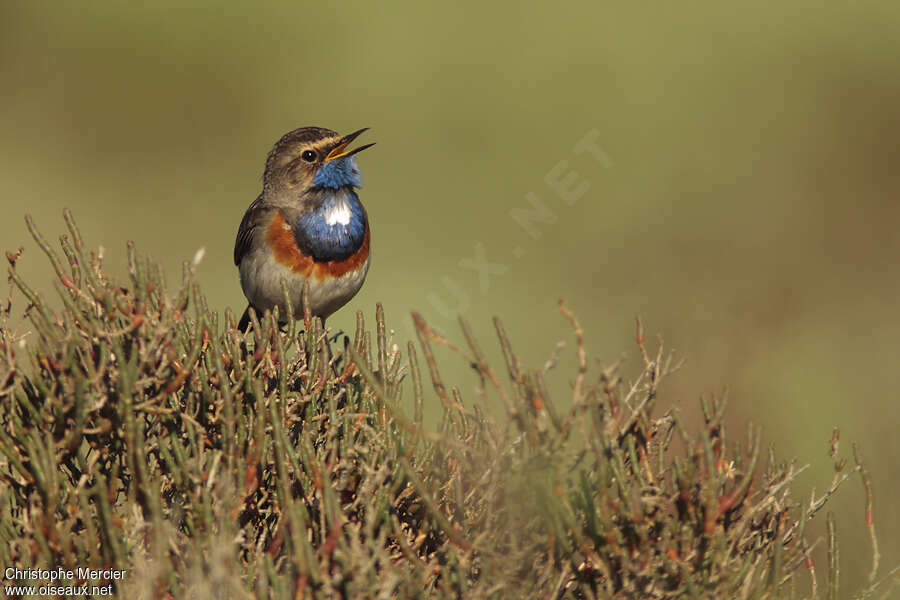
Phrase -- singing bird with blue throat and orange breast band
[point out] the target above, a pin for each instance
(307, 225)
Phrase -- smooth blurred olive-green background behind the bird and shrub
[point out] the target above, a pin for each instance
(745, 204)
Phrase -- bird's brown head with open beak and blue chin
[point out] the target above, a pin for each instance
(312, 158)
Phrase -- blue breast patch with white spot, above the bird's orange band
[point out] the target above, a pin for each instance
(333, 231)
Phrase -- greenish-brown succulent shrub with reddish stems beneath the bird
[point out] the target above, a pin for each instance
(140, 432)
